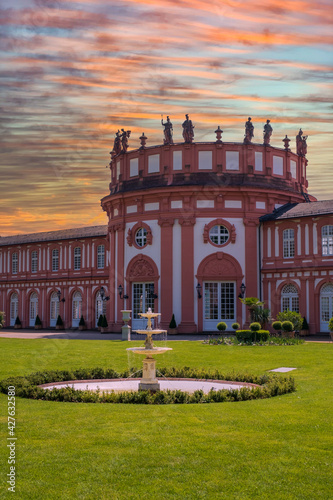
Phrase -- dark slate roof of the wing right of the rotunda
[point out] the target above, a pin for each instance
(296, 210)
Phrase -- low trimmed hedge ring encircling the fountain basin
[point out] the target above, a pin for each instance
(269, 385)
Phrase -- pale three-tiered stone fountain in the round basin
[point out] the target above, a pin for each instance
(149, 380)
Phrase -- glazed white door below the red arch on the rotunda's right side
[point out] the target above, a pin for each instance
(219, 304)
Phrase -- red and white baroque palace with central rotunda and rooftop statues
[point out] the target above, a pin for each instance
(191, 227)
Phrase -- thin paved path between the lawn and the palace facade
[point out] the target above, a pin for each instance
(95, 335)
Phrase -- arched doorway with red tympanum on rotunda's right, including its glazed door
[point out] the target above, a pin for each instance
(221, 277)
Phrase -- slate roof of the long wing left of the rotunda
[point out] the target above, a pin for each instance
(63, 234)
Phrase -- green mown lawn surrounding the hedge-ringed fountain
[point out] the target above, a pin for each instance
(279, 448)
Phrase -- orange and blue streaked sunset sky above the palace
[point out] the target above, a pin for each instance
(73, 72)
